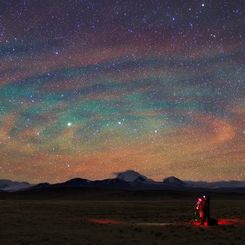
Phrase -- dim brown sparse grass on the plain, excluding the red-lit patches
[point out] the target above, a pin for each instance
(65, 222)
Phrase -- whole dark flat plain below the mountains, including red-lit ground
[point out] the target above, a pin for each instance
(111, 217)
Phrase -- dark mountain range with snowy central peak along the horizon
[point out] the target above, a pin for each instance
(128, 180)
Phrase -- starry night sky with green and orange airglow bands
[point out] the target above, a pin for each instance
(89, 88)
